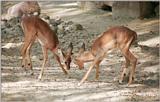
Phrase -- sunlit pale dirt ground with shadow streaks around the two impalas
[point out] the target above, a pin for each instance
(17, 86)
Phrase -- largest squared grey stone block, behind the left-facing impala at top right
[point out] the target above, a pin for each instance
(132, 9)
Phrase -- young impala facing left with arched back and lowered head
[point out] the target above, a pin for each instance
(116, 37)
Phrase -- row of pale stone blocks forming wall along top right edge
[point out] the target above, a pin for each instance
(124, 9)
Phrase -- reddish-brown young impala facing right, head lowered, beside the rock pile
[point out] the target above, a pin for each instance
(35, 28)
